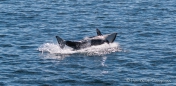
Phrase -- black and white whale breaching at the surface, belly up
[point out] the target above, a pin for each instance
(88, 42)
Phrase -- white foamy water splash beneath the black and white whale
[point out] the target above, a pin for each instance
(93, 50)
